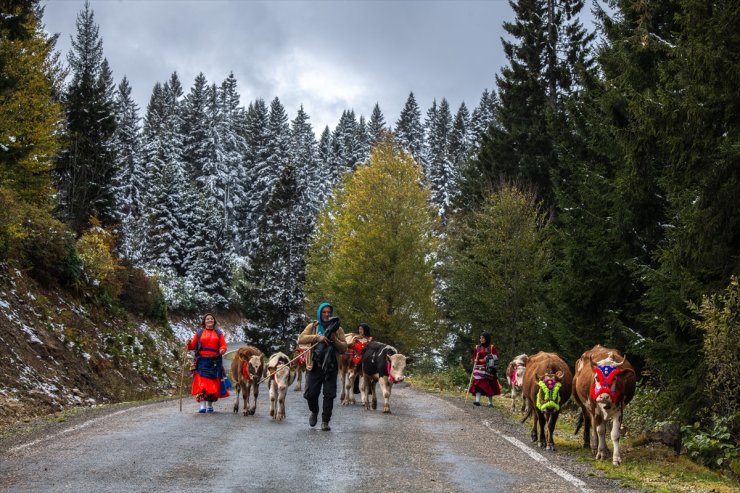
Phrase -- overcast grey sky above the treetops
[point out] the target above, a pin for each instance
(327, 55)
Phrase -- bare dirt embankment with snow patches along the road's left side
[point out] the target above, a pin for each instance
(62, 349)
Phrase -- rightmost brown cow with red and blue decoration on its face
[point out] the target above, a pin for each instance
(603, 384)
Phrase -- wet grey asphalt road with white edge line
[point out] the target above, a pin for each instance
(428, 443)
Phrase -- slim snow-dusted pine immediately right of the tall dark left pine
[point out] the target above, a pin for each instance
(129, 180)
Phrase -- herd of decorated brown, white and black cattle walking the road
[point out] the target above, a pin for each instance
(603, 383)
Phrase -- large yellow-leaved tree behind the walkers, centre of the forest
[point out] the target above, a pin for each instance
(373, 251)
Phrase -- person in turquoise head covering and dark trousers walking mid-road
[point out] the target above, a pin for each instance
(321, 363)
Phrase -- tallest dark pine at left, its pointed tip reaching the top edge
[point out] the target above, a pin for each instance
(86, 164)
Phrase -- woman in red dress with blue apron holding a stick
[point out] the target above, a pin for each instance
(209, 345)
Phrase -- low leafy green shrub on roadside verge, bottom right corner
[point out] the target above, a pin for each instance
(712, 446)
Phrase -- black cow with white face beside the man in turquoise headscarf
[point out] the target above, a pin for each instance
(384, 364)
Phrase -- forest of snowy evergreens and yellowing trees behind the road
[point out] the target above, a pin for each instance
(591, 195)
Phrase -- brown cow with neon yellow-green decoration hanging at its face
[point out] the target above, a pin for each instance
(547, 385)
